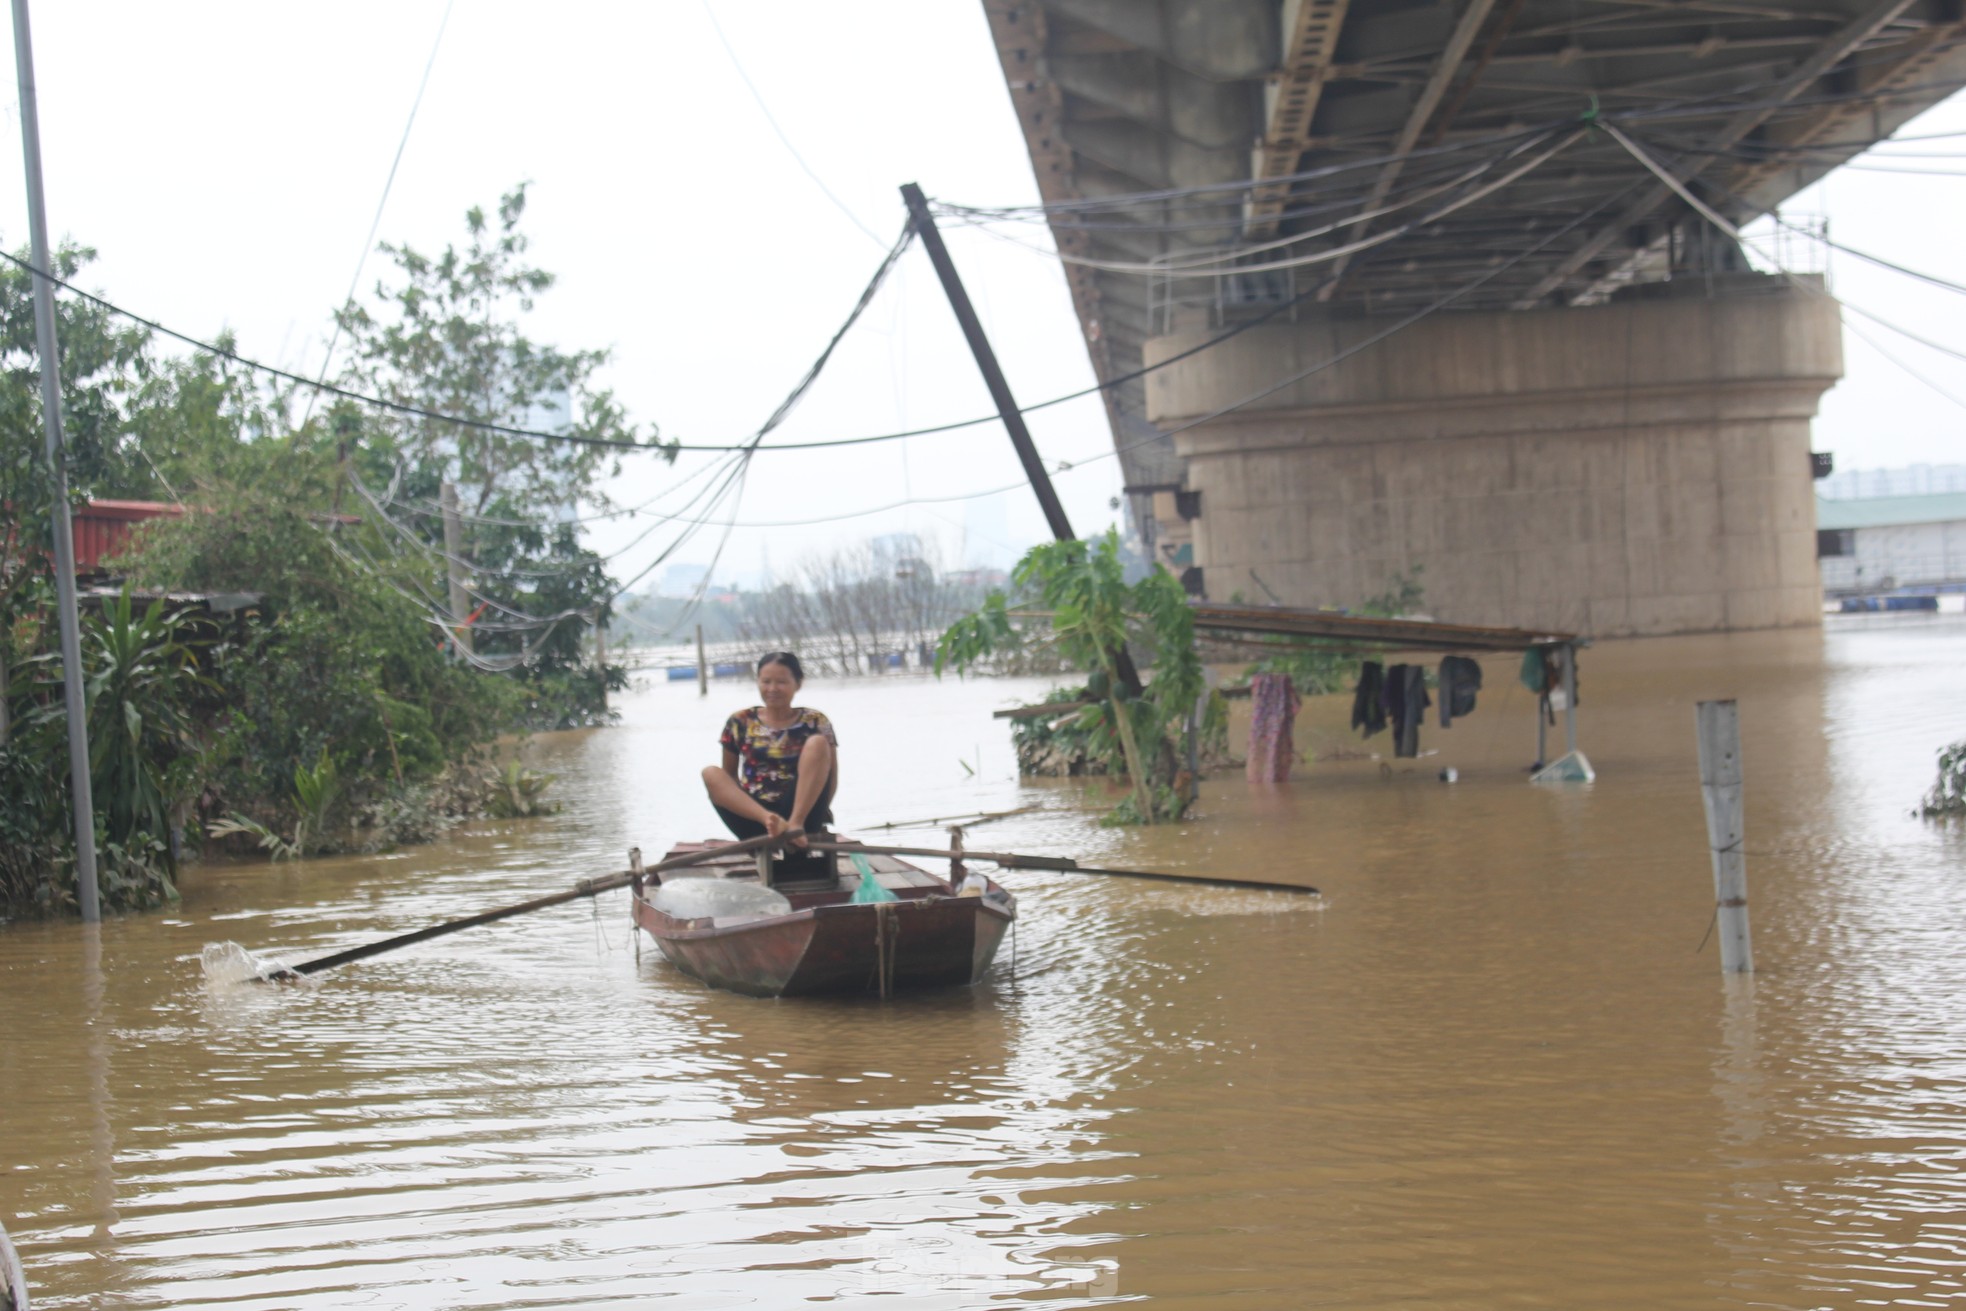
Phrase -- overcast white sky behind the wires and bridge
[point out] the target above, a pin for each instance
(227, 160)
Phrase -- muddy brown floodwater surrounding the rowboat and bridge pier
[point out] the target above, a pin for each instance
(1491, 1068)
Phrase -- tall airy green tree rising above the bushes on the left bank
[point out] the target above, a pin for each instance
(447, 337)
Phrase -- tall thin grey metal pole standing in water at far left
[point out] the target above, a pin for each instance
(58, 469)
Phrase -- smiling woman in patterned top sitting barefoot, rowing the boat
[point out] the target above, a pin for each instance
(781, 764)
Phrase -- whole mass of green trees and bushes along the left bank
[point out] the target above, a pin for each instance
(337, 711)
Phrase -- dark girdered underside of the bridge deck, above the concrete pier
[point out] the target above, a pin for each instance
(1352, 107)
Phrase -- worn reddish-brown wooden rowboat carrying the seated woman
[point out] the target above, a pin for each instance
(829, 944)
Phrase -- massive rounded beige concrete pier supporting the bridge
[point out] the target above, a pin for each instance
(1639, 467)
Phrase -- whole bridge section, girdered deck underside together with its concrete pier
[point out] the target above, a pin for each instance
(1609, 426)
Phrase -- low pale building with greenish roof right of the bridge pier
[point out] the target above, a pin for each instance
(1890, 543)
